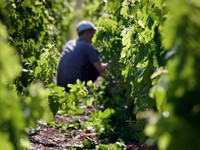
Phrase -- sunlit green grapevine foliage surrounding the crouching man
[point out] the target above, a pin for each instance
(149, 94)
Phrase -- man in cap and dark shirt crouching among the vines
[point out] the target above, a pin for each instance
(79, 60)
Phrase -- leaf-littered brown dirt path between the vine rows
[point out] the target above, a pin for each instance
(63, 137)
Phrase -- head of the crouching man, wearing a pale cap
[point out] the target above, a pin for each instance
(86, 30)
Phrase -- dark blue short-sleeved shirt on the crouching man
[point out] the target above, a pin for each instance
(75, 55)
